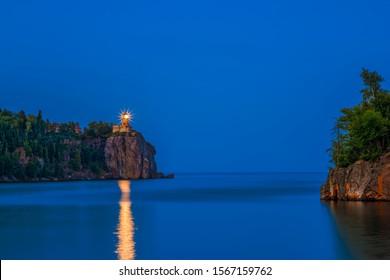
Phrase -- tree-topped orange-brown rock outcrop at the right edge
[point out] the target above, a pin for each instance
(361, 148)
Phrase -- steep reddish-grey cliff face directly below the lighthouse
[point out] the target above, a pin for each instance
(130, 157)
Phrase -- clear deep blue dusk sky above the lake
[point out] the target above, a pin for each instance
(214, 85)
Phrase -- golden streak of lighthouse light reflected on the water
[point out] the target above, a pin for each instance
(125, 248)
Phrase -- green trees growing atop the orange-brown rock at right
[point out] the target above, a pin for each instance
(363, 131)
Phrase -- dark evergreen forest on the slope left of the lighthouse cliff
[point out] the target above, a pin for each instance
(32, 147)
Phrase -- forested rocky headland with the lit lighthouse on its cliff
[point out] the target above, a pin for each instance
(32, 149)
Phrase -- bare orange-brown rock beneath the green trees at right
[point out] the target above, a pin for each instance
(360, 181)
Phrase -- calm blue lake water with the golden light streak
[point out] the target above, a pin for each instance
(194, 216)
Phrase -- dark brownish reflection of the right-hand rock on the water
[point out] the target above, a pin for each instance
(365, 227)
